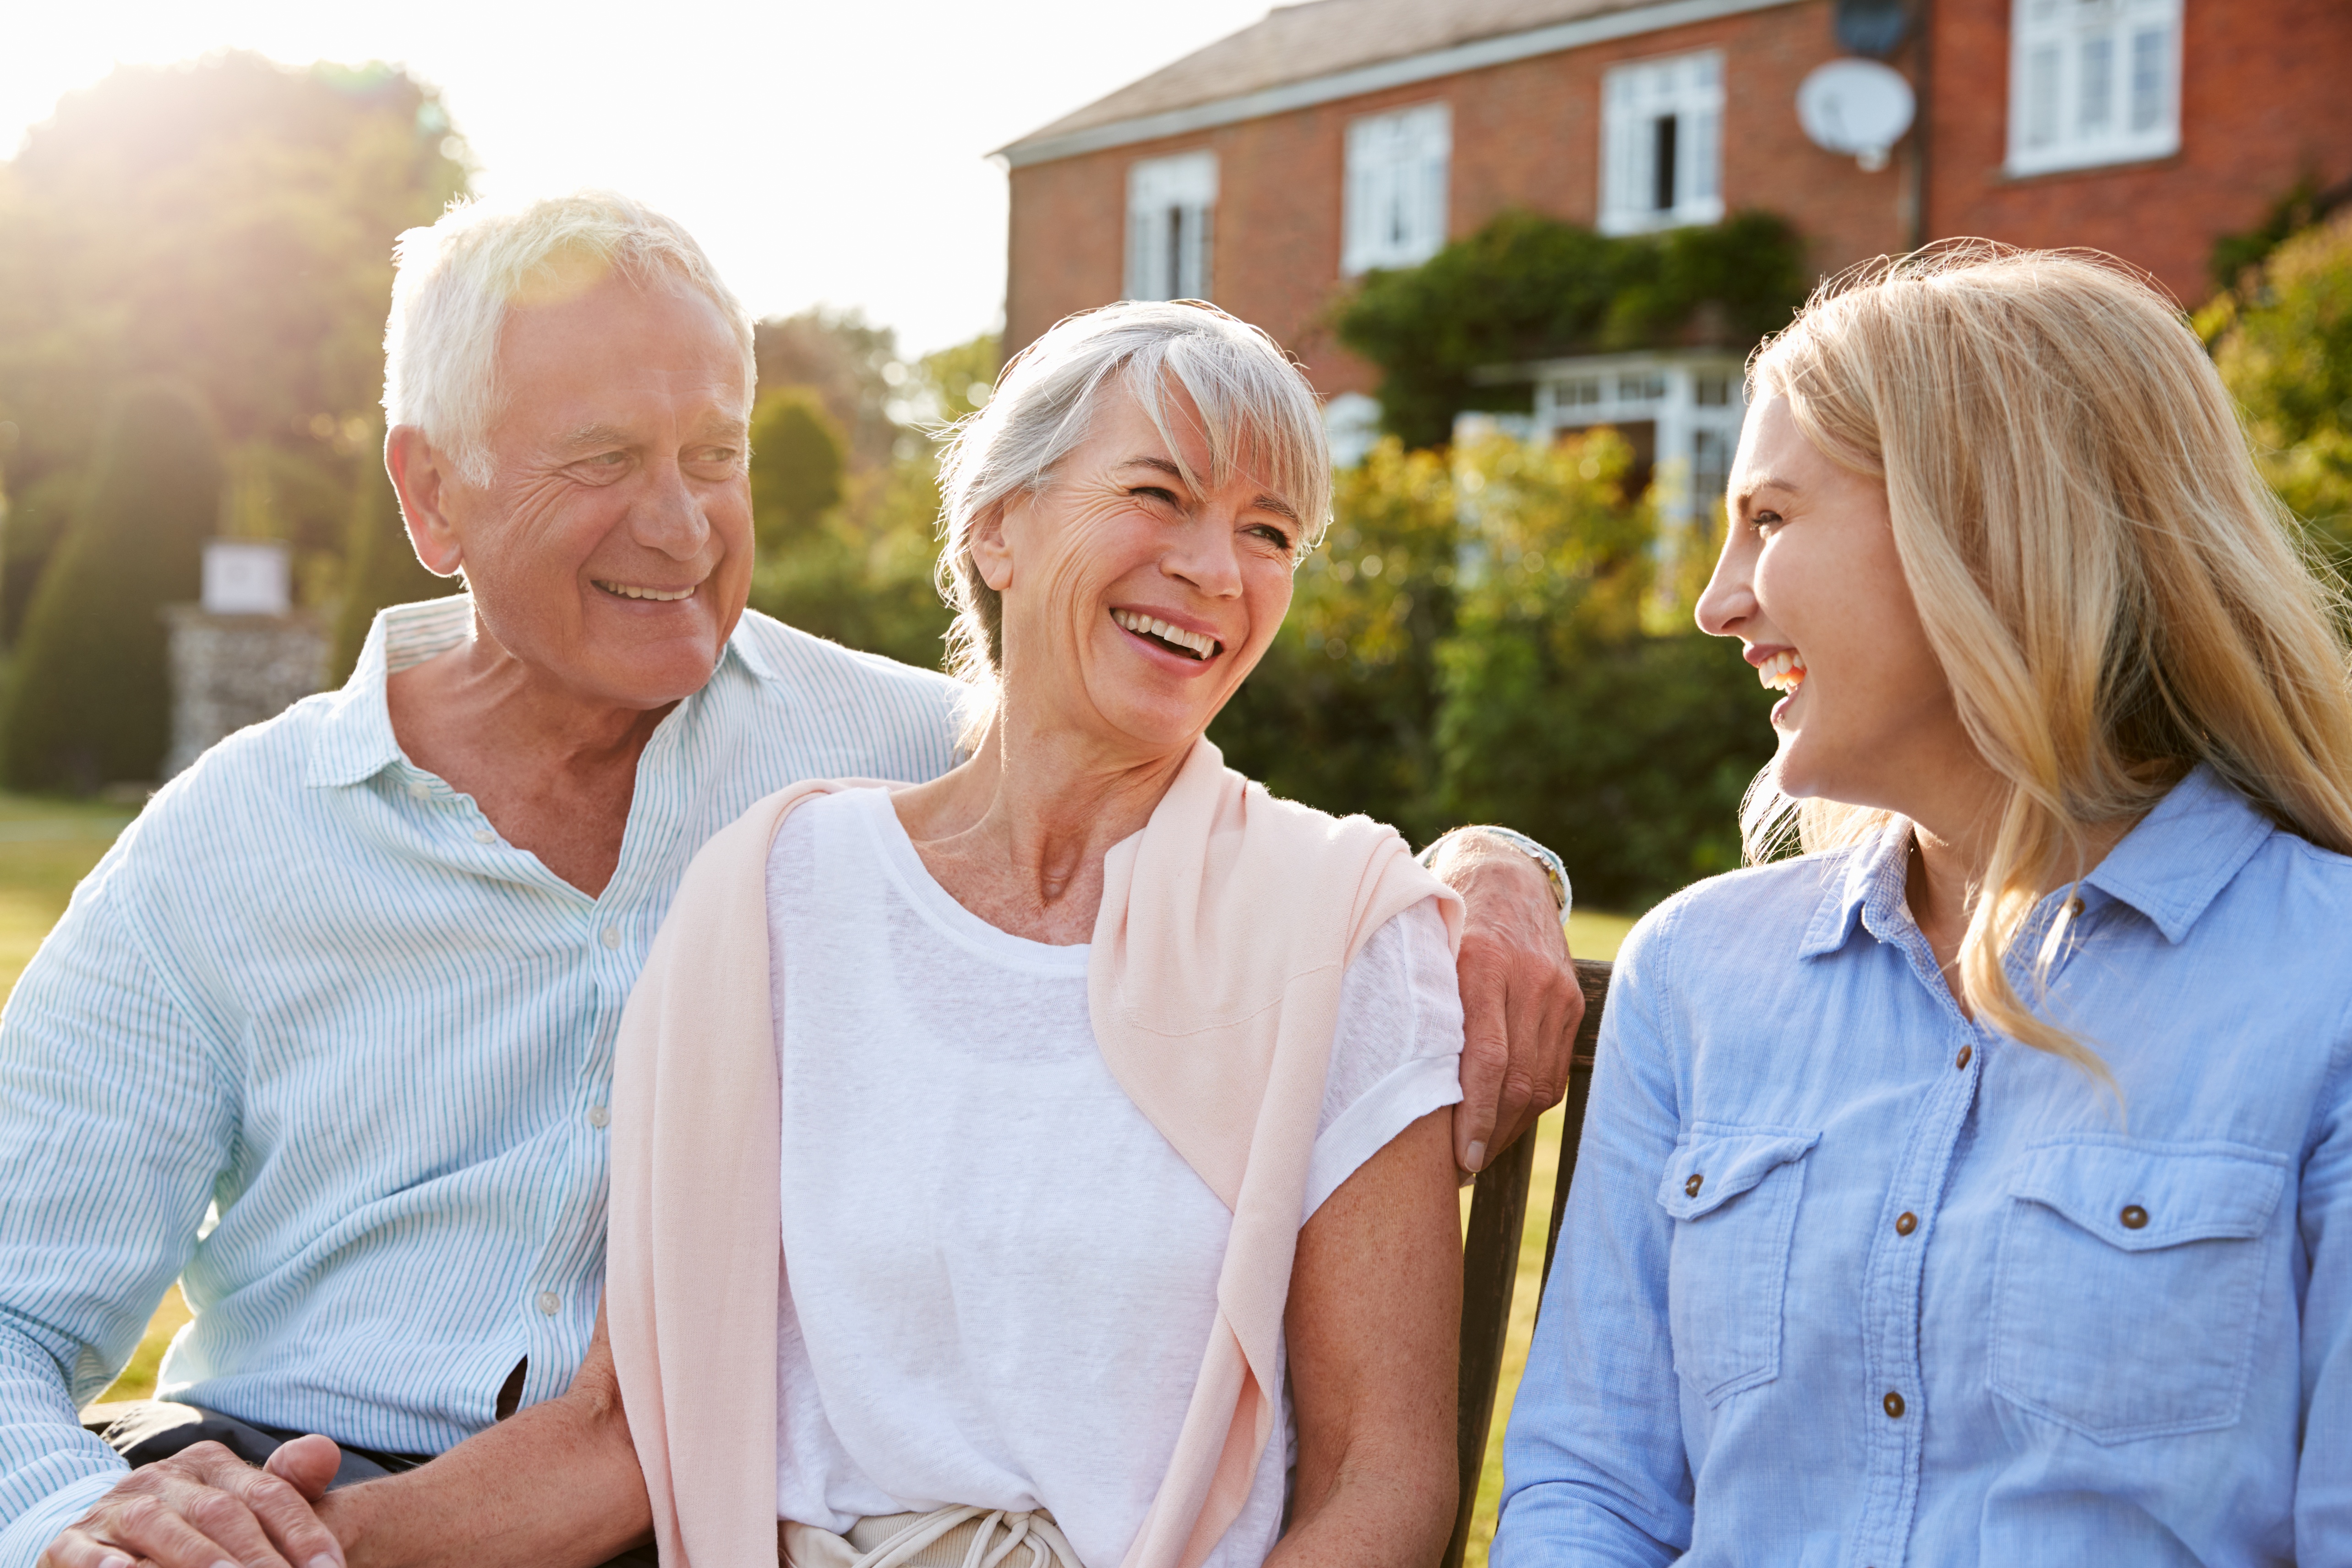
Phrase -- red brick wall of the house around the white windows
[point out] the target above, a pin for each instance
(2266, 98)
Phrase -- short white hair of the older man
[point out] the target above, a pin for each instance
(455, 283)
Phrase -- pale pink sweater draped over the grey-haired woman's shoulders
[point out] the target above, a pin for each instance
(1212, 986)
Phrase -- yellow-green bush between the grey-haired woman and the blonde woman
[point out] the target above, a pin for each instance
(1471, 648)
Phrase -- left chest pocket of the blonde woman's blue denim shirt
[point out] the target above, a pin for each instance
(1732, 1193)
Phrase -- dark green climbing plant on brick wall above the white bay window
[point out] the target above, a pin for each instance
(1532, 288)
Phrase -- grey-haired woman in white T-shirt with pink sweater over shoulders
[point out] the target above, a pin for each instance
(1161, 1264)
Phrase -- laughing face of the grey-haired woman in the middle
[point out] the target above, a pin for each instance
(1132, 601)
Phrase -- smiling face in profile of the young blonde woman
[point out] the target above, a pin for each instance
(1812, 587)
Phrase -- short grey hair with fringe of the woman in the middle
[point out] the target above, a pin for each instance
(1255, 410)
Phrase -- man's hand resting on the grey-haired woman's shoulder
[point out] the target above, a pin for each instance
(1521, 996)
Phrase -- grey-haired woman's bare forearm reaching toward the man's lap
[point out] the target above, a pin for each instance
(554, 1487)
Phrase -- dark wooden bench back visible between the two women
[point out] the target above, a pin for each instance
(1492, 1257)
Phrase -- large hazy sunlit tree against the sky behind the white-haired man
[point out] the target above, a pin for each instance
(229, 227)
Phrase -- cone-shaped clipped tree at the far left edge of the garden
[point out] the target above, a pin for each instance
(93, 699)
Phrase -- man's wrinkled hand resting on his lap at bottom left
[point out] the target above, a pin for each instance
(203, 1508)
